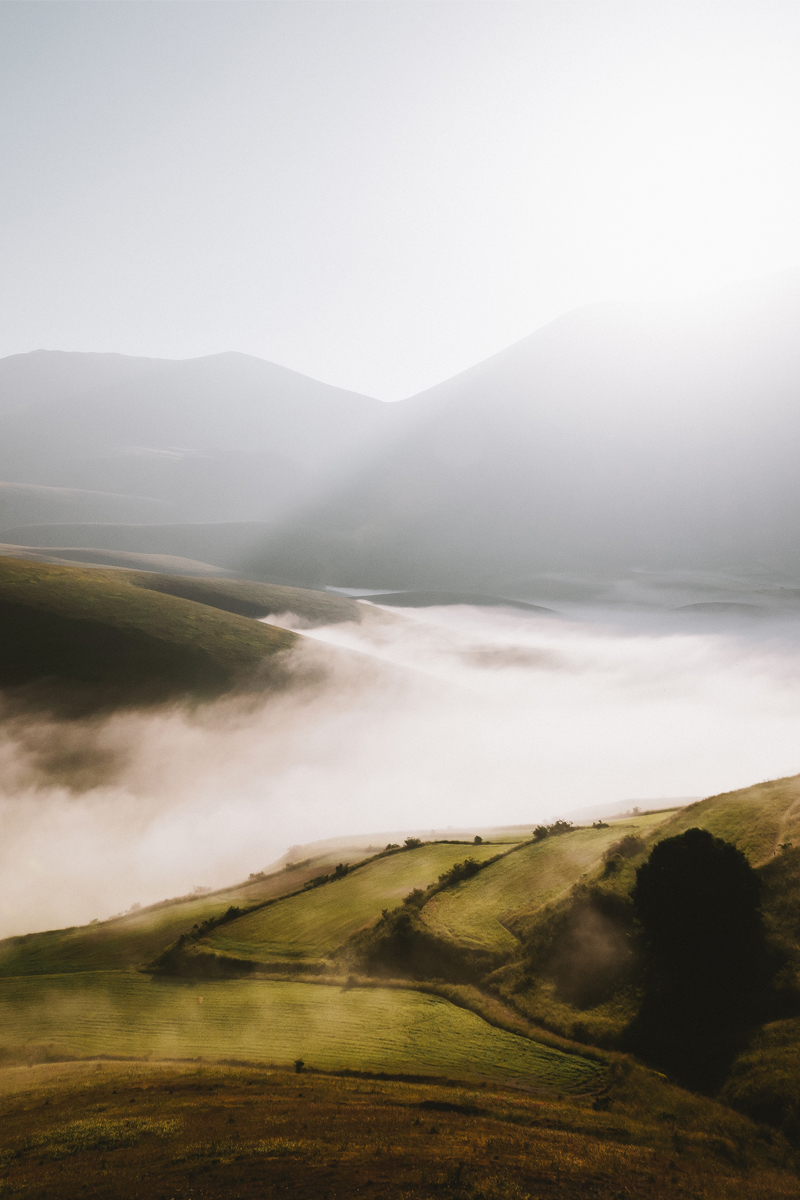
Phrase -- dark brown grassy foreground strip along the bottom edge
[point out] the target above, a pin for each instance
(123, 1131)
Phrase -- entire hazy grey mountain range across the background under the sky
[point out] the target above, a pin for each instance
(621, 441)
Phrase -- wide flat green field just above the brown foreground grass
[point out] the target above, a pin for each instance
(364, 1029)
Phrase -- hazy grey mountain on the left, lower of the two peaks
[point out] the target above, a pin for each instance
(222, 439)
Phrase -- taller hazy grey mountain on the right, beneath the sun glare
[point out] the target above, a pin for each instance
(618, 439)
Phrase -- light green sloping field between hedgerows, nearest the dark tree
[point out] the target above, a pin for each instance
(474, 913)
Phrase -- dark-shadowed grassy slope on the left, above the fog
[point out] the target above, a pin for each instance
(95, 628)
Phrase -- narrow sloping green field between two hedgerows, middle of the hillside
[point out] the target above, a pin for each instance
(311, 926)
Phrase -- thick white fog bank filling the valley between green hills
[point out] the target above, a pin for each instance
(418, 719)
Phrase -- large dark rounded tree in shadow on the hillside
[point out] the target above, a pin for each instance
(699, 902)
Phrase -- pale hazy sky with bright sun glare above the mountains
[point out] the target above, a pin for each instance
(377, 194)
